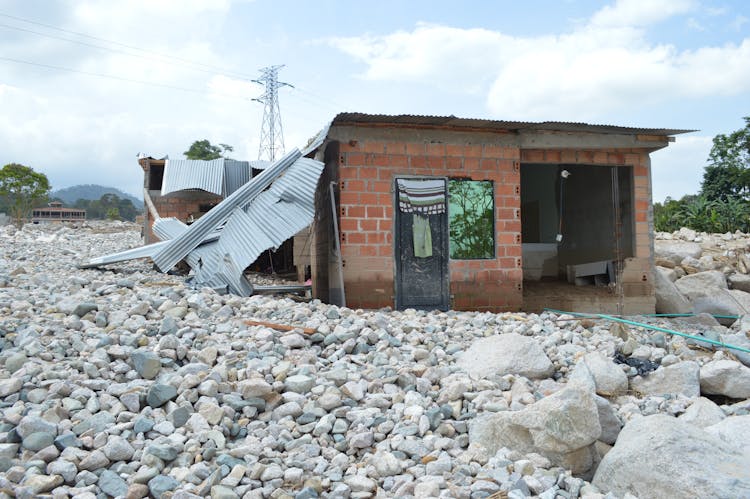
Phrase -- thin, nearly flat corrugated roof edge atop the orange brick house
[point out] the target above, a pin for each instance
(484, 124)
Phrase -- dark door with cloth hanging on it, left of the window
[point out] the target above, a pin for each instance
(422, 278)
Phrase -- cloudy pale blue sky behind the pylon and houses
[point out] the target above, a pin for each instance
(87, 85)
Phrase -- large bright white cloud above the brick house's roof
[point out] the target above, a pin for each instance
(603, 65)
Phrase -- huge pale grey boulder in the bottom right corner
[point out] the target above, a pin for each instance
(662, 457)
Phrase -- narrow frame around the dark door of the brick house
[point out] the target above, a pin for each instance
(445, 266)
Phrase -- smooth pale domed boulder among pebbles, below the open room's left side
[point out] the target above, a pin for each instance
(506, 354)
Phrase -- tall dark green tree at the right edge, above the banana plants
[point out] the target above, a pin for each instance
(728, 172)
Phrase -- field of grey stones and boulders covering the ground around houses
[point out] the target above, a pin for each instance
(126, 382)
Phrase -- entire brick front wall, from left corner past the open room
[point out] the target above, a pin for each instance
(368, 161)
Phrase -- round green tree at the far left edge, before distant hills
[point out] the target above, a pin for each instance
(22, 187)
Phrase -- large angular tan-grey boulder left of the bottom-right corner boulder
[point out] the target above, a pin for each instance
(561, 427)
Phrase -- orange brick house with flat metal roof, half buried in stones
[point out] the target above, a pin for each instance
(469, 214)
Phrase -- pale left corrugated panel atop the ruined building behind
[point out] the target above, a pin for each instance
(181, 174)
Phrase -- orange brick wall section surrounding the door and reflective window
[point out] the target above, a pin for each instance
(367, 169)
